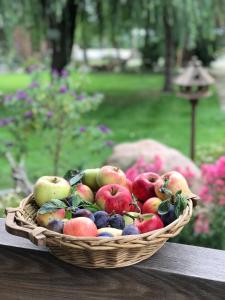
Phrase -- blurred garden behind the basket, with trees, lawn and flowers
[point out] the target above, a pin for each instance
(85, 82)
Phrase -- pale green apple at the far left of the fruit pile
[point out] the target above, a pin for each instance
(50, 187)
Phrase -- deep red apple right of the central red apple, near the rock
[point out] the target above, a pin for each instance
(144, 185)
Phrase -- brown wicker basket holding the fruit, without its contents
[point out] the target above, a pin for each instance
(96, 252)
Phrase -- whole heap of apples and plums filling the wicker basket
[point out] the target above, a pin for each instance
(114, 206)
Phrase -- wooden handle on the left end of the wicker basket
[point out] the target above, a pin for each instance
(36, 235)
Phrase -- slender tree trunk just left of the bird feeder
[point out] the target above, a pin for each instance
(168, 36)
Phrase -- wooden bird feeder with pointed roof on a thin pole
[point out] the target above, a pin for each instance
(194, 84)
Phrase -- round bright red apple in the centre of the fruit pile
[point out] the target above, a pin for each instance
(114, 198)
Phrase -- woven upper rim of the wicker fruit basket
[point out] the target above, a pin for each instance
(151, 234)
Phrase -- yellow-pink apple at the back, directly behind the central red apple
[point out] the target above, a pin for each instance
(110, 175)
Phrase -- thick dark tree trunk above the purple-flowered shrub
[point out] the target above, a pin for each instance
(62, 40)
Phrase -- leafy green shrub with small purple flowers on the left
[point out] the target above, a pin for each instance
(57, 105)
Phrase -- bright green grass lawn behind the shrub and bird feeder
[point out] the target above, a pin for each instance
(134, 108)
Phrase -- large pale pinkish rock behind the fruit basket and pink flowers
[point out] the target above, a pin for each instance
(126, 154)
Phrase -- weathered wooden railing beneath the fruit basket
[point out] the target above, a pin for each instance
(175, 272)
